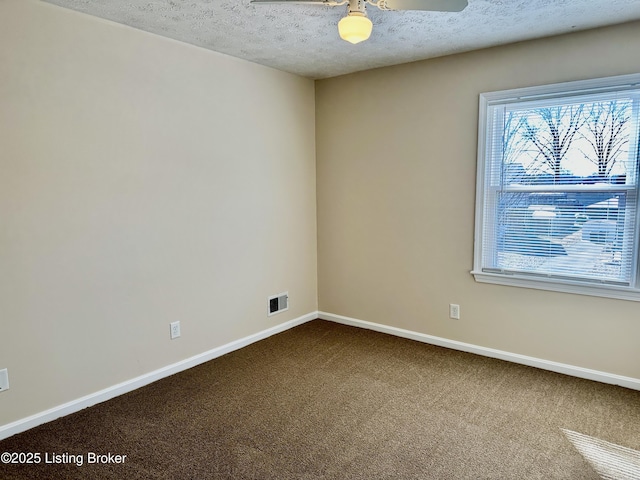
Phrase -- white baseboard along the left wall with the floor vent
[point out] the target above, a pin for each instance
(73, 406)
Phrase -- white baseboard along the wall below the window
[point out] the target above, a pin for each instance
(628, 382)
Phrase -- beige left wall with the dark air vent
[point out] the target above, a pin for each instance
(142, 181)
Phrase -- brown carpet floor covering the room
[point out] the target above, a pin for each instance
(327, 401)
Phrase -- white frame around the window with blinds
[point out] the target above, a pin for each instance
(559, 91)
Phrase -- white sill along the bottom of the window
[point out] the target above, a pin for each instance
(579, 288)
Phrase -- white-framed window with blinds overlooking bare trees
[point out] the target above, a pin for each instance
(557, 188)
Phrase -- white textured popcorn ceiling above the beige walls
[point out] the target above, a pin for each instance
(303, 39)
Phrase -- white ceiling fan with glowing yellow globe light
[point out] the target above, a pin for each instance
(356, 27)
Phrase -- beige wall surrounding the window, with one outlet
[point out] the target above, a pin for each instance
(396, 166)
